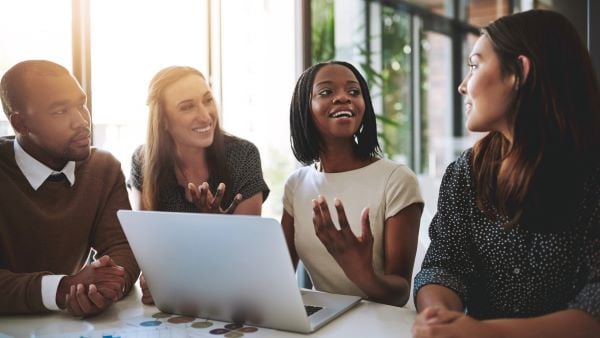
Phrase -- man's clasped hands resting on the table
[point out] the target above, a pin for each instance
(93, 289)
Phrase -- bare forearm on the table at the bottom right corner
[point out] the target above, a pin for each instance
(567, 323)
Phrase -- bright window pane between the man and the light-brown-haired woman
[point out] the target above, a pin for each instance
(130, 42)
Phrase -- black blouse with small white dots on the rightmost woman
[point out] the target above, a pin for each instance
(512, 273)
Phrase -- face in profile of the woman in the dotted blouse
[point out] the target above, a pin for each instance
(488, 93)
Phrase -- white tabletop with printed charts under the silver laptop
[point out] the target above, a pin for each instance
(123, 318)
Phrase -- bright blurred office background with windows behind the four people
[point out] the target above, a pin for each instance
(413, 54)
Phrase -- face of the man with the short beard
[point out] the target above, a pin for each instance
(55, 122)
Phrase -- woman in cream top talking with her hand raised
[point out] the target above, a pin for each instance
(368, 253)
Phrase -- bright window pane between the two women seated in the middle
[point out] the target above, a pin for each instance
(258, 78)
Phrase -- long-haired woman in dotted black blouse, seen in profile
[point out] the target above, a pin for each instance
(515, 248)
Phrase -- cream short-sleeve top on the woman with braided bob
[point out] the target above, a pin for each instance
(383, 186)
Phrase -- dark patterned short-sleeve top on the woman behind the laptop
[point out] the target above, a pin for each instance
(245, 169)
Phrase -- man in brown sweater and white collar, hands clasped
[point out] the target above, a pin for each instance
(58, 199)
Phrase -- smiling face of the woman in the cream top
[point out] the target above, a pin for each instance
(337, 102)
